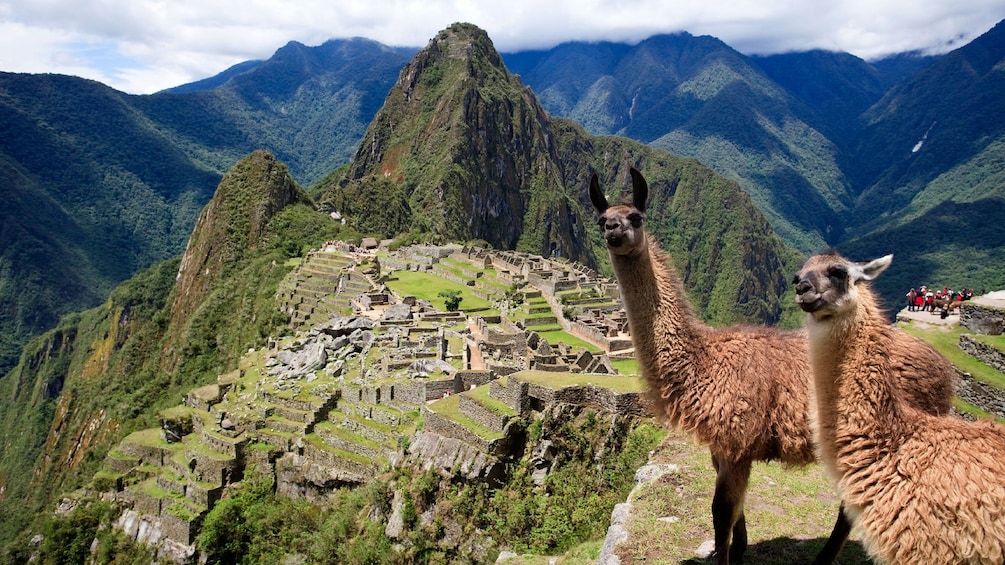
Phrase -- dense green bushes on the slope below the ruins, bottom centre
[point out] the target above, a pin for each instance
(253, 525)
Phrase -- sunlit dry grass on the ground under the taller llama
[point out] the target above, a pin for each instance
(790, 512)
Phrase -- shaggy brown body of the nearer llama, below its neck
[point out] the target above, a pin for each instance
(940, 498)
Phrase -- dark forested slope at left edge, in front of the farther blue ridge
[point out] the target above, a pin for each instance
(94, 193)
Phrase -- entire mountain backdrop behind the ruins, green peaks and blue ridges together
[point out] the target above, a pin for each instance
(447, 144)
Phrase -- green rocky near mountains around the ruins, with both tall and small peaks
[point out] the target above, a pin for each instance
(456, 131)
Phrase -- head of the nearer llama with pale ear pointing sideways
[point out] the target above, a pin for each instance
(828, 285)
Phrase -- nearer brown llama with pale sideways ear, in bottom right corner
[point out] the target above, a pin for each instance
(920, 488)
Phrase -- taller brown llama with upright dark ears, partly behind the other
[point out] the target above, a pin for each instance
(742, 391)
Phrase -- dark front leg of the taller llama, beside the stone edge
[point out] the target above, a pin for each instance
(728, 509)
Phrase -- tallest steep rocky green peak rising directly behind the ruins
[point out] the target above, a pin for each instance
(455, 113)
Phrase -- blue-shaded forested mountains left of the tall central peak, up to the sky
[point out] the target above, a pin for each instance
(99, 184)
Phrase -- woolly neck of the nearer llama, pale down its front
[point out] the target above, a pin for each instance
(857, 414)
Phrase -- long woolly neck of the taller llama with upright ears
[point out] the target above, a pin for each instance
(660, 316)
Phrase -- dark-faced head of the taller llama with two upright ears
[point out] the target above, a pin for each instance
(622, 225)
